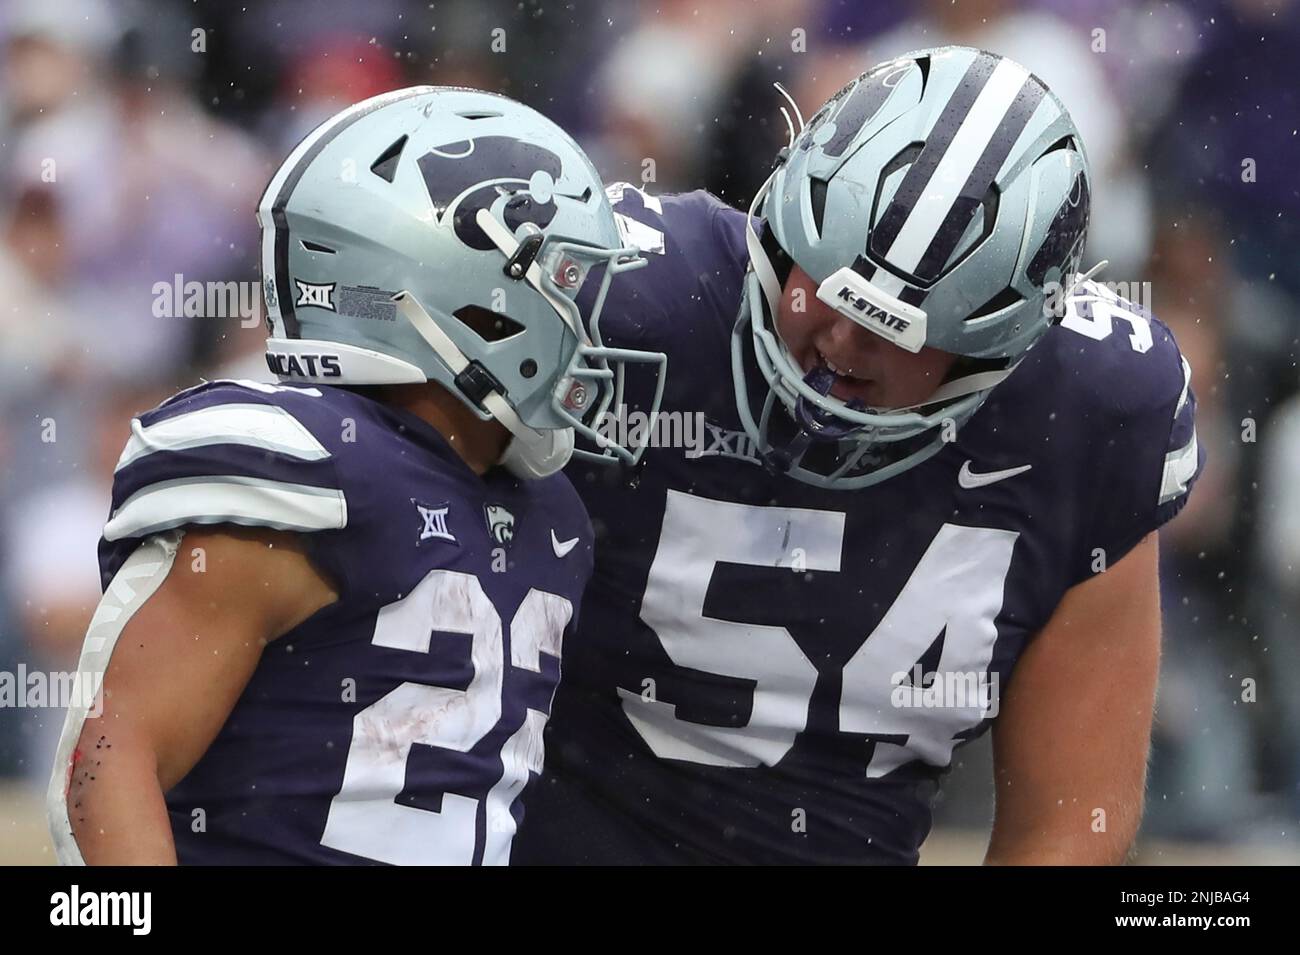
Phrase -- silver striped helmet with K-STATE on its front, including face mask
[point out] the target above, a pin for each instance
(935, 201)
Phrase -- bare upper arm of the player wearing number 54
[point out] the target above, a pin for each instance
(1071, 744)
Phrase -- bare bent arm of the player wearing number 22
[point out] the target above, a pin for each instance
(176, 672)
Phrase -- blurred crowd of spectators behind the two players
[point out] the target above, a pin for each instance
(136, 138)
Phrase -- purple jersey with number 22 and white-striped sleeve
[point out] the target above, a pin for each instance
(401, 723)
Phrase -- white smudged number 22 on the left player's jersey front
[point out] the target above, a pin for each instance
(365, 818)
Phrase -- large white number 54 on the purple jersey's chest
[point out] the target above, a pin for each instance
(956, 589)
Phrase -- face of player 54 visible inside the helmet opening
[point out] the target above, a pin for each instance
(878, 374)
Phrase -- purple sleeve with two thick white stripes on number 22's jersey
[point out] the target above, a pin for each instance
(224, 453)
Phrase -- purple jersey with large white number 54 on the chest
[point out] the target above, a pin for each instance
(774, 672)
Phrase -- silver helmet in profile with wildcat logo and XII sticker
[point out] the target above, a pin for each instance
(443, 235)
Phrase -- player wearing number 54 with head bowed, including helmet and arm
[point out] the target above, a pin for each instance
(943, 463)
